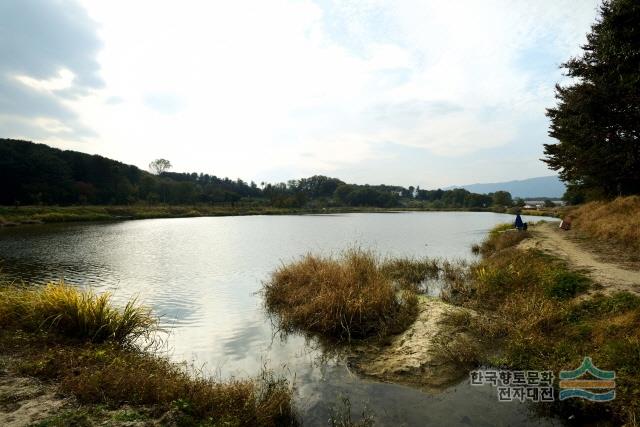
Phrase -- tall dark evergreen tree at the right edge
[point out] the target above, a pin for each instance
(597, 117)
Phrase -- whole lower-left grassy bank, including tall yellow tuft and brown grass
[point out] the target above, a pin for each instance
(90, 351)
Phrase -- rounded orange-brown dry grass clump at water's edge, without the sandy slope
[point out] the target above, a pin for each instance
(339, 298)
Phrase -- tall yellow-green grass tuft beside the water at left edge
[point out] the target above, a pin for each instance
(65, 310)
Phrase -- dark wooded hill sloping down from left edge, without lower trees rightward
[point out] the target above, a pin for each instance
(36, 173)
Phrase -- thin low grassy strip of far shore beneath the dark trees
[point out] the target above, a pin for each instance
(11, 216)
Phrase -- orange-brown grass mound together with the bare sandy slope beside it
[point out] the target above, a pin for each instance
(372, 313)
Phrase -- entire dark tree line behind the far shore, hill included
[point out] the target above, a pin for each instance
(38, 174)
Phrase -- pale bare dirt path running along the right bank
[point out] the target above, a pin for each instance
(548, 237)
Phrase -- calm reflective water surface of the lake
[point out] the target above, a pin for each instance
(202, 275)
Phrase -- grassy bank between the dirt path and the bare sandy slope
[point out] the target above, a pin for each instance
(533, 313)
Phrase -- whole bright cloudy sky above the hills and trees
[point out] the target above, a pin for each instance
(404, 92)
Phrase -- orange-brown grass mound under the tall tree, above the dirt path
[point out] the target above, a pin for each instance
(617, 221)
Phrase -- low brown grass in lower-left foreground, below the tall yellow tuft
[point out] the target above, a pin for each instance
(110, 375)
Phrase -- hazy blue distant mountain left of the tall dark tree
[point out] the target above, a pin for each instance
(542, 186)
